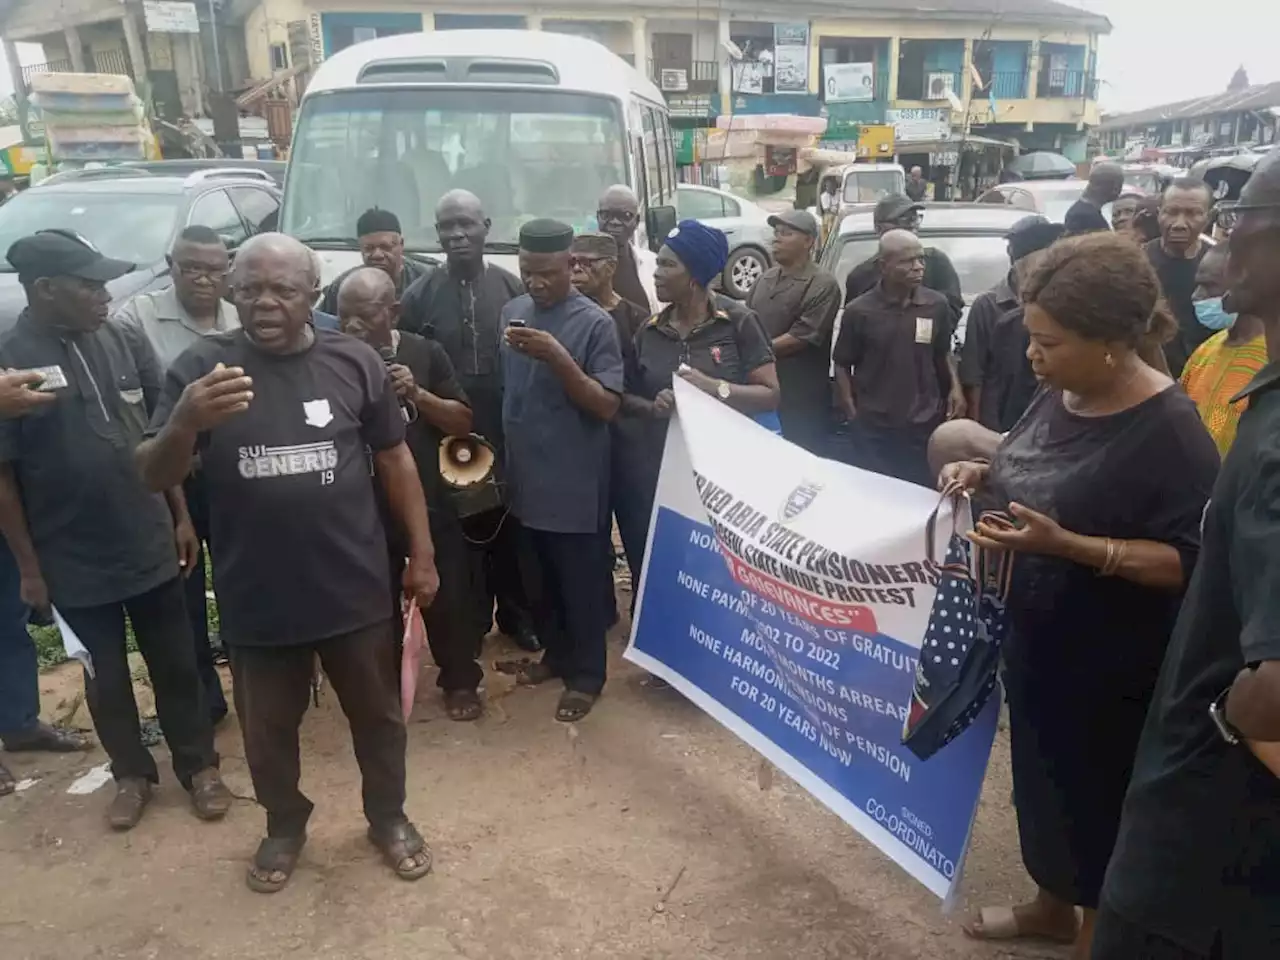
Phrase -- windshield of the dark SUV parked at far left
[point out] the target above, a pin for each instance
(134, 227)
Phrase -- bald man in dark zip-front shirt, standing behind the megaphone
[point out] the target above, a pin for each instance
(460, 308)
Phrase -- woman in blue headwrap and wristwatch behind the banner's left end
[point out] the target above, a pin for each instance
(712, 342)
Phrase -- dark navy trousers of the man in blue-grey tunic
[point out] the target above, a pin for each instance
(565, 577)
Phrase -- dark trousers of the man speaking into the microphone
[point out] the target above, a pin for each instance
(451, 627)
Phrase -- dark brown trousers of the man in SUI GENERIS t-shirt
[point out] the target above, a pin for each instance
(272, 687)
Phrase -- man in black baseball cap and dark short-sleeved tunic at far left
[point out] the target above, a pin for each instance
(86, 533)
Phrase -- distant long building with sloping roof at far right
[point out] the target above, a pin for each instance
(1245, 117)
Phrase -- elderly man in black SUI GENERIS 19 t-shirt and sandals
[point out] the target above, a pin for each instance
(286, 419)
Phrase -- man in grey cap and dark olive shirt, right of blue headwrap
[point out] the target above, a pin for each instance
(798, 303)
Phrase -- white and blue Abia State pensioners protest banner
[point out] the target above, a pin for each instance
(788, 597)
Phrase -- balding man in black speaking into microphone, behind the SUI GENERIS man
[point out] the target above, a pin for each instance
(435, 408)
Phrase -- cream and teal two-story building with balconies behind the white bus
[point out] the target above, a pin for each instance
(1023, 74)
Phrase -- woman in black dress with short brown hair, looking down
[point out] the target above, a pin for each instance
(1107, 478)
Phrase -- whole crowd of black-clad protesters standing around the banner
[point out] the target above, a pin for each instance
(1112, 395)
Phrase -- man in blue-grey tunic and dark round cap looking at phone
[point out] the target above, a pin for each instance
(564, 380)
